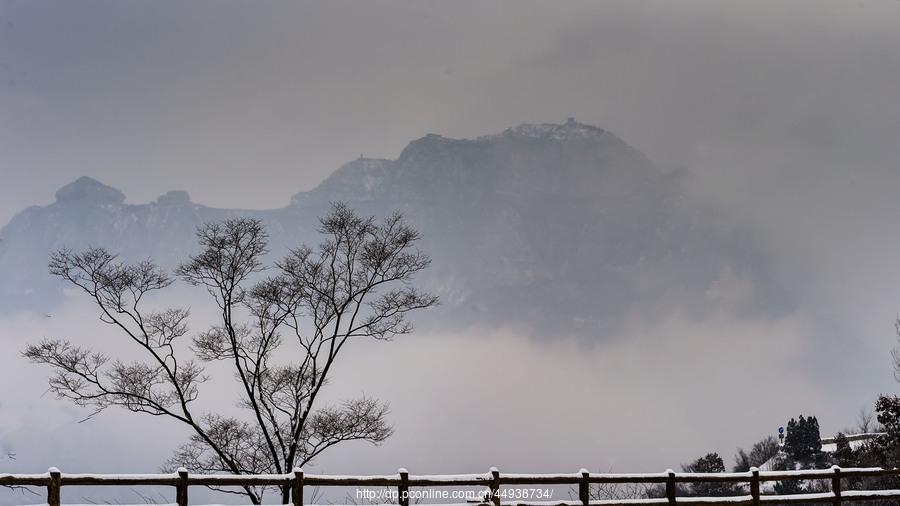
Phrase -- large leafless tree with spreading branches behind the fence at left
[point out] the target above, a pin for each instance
(356, 284)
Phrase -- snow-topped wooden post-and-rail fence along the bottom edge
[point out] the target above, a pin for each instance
(54, 480)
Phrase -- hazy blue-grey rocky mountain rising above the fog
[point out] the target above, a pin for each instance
(563, 226)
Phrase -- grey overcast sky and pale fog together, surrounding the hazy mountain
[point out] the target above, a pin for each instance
(786, 112)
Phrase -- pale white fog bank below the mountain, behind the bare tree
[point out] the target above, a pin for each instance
(655, 396)
